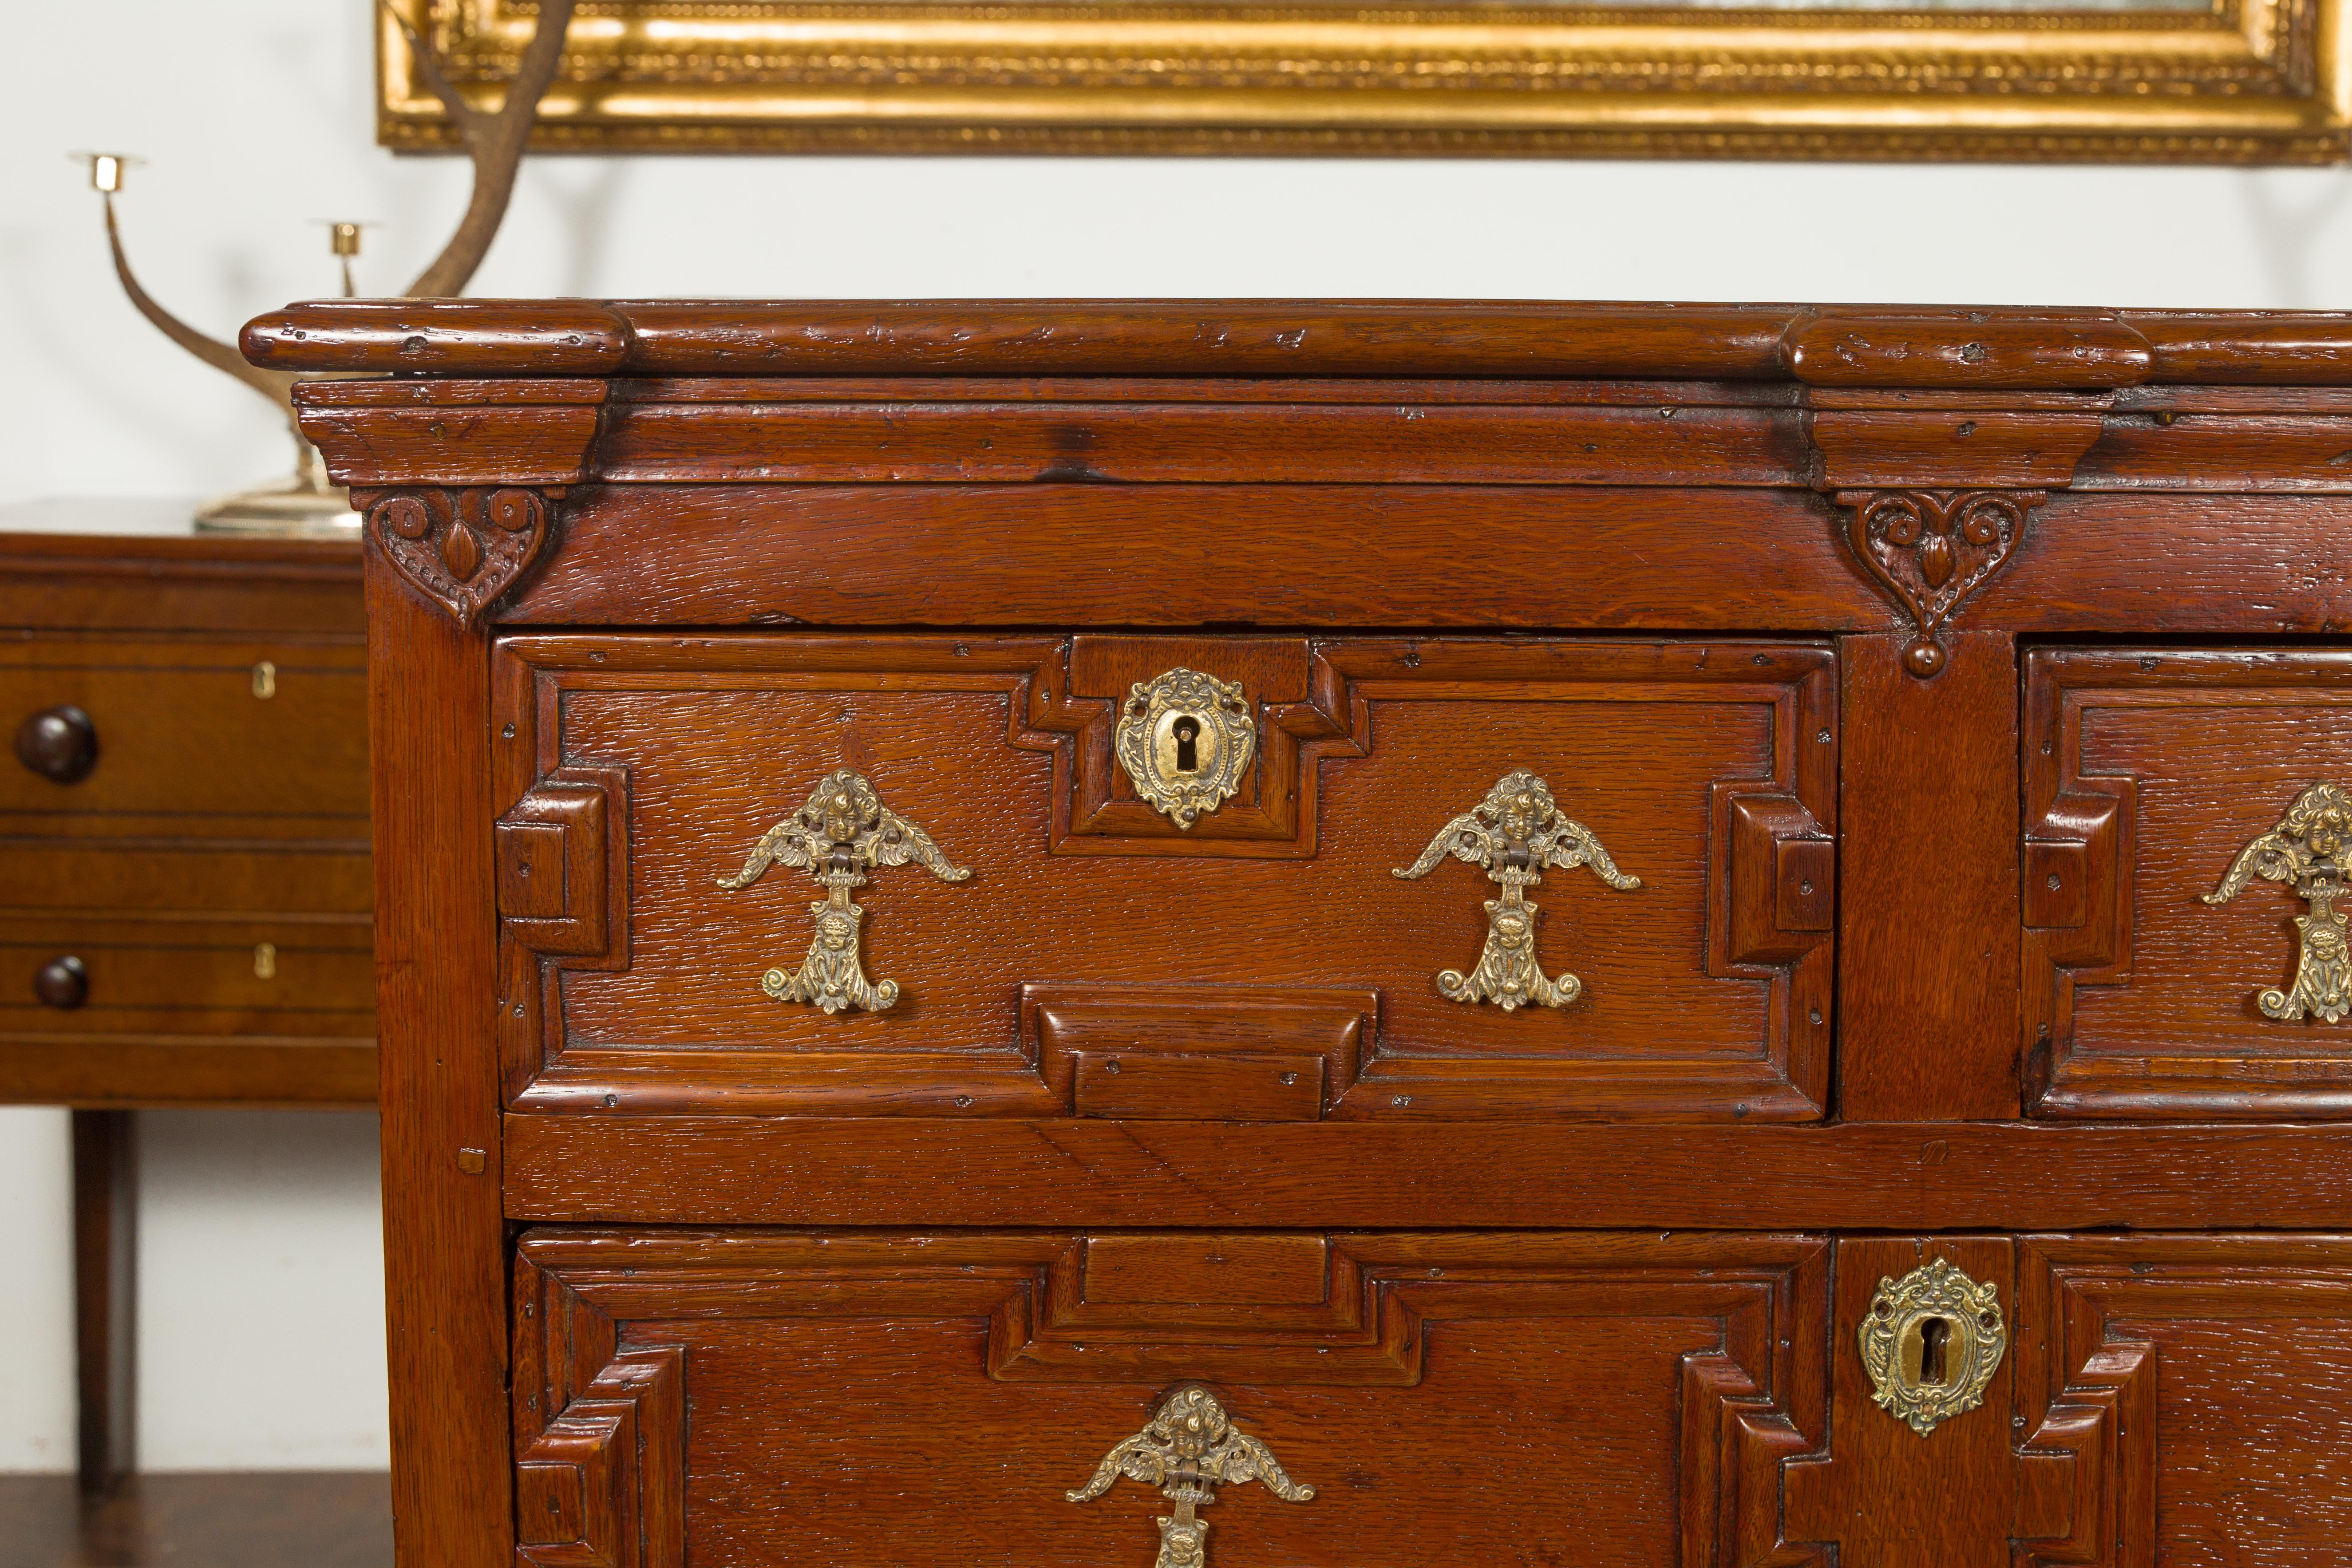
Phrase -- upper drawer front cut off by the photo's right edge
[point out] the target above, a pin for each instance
(2186, 817)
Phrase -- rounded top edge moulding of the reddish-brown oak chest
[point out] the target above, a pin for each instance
(1850, 347)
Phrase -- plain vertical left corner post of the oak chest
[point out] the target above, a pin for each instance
(436, 970)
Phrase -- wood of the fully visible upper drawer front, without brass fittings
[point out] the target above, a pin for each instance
(1678, 756)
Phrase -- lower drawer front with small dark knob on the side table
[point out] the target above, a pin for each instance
(86, 977)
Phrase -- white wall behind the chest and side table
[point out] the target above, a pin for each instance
(255, 116)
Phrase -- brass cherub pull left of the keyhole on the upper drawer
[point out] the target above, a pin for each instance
(838, 836)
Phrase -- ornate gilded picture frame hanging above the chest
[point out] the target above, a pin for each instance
(2125, 81)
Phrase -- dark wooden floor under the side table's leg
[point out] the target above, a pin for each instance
(250, 1520)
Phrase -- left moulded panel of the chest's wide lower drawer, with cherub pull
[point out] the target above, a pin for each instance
(1417, 1400)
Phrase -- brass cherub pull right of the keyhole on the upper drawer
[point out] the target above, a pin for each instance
(1514, 836)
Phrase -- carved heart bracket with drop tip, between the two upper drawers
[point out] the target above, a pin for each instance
(1932, 549)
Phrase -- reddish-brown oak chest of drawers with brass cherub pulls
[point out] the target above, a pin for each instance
(1481, 934)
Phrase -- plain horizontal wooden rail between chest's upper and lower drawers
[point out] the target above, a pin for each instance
(1389, 1174)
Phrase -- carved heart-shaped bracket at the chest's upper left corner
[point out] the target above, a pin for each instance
(462, 549)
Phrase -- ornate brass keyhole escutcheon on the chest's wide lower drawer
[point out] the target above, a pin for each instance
(1932, 1343)
